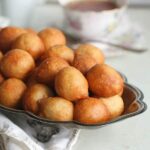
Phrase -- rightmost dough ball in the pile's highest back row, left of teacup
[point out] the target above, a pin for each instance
(52, 37)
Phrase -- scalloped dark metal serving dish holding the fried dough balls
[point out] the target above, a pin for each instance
(134, 105)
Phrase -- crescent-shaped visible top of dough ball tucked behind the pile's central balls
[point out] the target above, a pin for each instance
(61, 51)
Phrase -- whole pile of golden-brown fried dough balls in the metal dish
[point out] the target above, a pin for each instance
(41, 74)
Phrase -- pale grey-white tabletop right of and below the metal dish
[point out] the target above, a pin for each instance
(134, 133)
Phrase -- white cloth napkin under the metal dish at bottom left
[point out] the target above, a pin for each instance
(22, 137)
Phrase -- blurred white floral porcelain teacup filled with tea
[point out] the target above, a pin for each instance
(92, 23)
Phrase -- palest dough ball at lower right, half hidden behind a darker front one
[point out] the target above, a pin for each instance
(115, 105)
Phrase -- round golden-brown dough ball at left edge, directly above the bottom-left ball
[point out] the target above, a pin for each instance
(17, 63)
